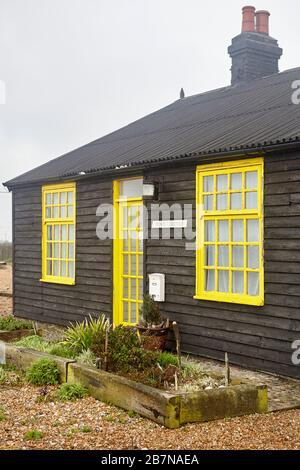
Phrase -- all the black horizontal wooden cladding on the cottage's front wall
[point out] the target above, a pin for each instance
(255, 337)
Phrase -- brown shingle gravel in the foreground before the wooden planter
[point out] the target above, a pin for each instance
(90, 424)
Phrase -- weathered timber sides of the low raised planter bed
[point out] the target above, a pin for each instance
(168, 409)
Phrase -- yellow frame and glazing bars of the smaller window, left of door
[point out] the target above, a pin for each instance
(58, 221)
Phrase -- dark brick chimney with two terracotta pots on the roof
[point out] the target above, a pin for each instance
(254, 53)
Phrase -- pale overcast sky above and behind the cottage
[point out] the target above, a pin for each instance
(77, 69)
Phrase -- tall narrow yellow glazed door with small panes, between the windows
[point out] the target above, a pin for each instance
(128, 251)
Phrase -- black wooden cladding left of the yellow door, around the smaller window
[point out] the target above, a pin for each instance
(56, 303)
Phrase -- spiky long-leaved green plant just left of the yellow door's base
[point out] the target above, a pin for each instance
(79, 337)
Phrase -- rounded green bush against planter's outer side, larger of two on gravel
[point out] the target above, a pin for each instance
(43, 372)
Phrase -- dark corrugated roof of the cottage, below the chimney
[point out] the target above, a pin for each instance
(251, 115)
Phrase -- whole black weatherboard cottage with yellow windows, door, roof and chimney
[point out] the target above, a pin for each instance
(233, 154)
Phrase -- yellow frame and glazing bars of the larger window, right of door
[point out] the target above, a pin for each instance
(229, 168)
